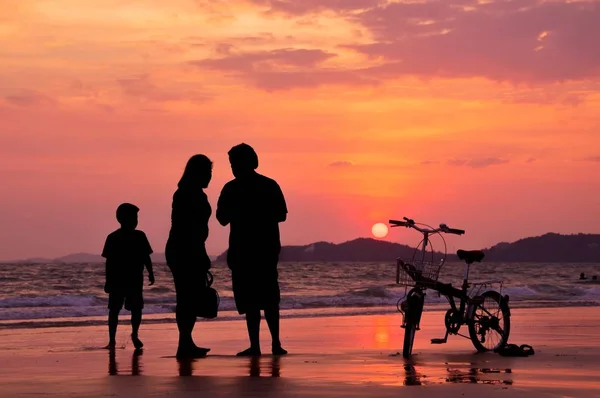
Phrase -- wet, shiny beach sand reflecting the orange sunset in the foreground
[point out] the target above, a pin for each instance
(329, 356)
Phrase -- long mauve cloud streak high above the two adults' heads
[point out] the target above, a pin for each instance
(284, 69)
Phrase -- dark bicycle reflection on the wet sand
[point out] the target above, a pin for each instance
(471, 375)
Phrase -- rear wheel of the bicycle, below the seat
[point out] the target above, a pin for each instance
(489, 327)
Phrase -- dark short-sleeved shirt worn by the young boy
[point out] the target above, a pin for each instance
(126, 252)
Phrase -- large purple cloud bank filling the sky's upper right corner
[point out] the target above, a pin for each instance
(517, 41)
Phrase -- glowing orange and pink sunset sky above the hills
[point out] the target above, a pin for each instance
(481, 114)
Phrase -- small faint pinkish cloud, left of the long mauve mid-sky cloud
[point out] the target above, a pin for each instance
(142, 87)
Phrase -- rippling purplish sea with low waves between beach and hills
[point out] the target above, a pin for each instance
(43, 295)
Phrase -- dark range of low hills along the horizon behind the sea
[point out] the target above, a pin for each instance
(550, 247)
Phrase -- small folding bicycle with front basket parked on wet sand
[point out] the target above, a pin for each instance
(484, 314)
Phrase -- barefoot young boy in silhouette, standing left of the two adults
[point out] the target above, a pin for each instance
(127, 252)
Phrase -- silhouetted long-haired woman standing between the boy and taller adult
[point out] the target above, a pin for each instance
(186, 252)
